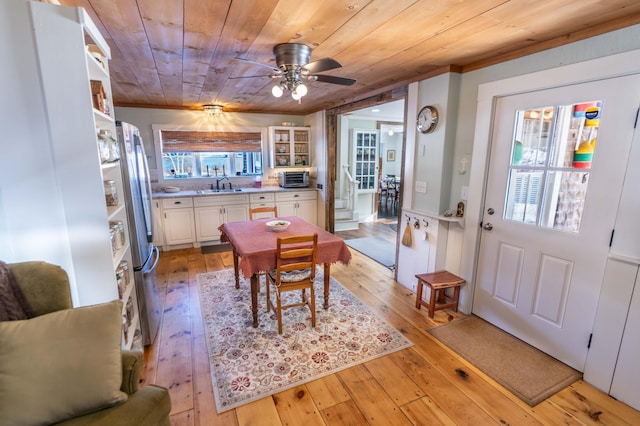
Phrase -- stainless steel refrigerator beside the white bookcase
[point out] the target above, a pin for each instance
(137, 190)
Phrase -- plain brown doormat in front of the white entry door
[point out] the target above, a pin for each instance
(527, 372)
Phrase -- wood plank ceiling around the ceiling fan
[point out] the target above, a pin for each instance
(180, 53)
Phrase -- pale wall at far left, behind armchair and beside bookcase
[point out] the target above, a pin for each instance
(32, 217)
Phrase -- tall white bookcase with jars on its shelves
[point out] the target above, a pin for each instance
(73, 57)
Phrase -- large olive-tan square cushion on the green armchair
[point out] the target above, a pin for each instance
(61, 365)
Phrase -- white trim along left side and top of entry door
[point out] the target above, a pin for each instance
(627, 63)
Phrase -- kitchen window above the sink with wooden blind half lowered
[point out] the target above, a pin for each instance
(208, 154)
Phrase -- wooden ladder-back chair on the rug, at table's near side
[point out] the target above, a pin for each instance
(295, 270)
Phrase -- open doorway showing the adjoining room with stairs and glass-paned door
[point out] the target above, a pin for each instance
(368, 191)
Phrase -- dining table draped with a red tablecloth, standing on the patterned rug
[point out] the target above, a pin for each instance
(254, 250)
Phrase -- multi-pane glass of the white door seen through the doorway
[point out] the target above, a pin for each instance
(365, 160)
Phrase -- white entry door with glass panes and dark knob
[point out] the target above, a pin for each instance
(556, 170)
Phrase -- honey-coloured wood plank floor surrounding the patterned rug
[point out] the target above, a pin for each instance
(423, 385)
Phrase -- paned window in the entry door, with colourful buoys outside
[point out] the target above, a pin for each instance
(552, 152)
